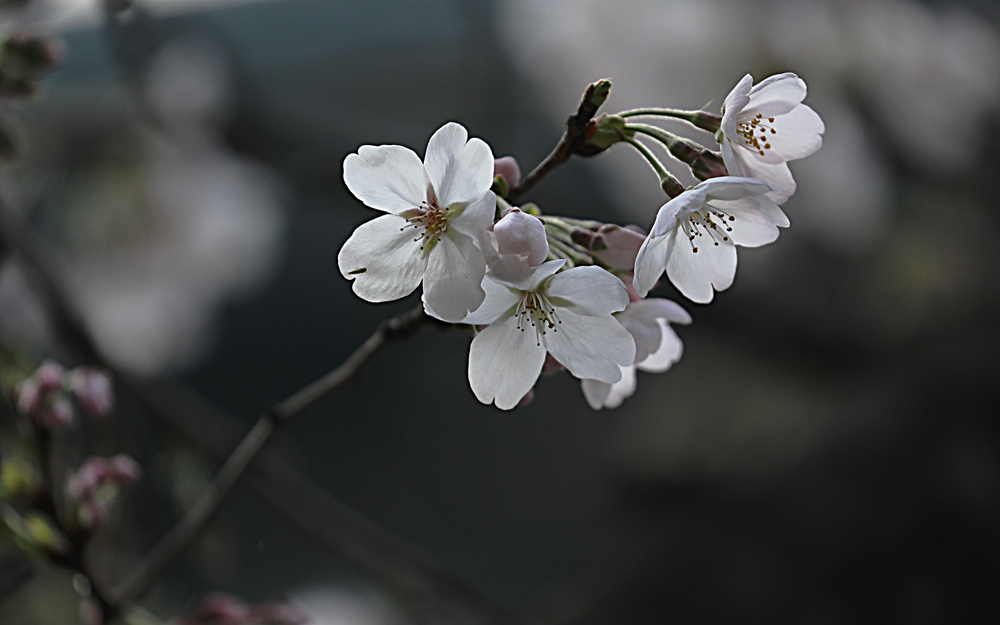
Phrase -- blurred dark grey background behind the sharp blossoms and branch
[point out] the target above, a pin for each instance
(824, 452)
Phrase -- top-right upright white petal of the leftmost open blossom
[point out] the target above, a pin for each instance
(461, 171)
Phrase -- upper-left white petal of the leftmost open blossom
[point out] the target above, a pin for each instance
(386, 177)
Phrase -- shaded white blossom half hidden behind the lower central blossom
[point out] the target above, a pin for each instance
(657, 347)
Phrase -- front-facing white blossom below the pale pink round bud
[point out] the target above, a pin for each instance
(567, 314)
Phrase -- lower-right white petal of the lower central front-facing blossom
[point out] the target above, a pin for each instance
(590, 347)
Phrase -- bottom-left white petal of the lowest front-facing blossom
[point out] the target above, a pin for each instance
(504, 363)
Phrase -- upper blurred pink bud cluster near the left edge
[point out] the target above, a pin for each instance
(47, 395)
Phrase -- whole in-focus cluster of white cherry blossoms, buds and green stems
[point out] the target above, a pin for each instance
(545, 292)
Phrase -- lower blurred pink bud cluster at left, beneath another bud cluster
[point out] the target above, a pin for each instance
(93, 486)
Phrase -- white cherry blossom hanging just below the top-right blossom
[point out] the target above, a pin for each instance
(695, 235)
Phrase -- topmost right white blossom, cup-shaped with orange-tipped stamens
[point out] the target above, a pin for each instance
(766, 125)
